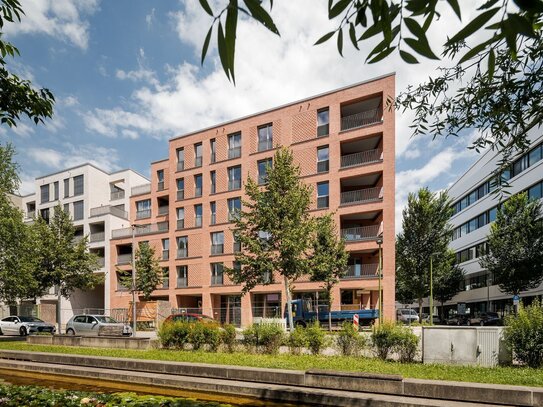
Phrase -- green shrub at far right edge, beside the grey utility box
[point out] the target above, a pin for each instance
(524, 334)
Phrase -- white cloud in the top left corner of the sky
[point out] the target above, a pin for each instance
(61, 19)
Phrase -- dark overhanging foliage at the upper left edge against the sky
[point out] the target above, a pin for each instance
(17, 96)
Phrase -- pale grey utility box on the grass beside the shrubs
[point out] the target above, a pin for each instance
(470, 345)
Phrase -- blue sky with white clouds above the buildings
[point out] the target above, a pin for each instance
(126, 76)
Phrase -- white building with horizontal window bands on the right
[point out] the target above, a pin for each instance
(475, 208)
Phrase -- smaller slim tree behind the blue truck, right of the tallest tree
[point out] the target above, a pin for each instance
(329, 259)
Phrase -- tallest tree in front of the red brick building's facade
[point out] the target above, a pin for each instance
(275, 228)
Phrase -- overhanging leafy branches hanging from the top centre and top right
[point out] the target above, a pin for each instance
(492, 84)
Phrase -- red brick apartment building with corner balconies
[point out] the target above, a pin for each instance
(342, 140)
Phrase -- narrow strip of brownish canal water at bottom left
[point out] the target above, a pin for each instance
(59, 382)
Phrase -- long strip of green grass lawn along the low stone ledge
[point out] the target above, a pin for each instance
(499, 375)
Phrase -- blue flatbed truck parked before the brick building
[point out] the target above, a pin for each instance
(304, 312)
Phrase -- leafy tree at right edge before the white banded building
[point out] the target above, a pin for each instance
(515, 245)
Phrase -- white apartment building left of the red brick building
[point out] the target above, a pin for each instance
(98, 202)
